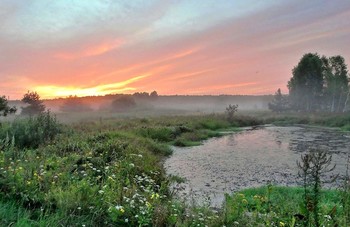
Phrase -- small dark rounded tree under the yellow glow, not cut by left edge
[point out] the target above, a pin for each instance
(35, 105)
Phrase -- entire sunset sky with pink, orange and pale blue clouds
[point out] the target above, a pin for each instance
(186, 47)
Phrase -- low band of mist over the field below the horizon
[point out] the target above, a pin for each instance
(200, 104)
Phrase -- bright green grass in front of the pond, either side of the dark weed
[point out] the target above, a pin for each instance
(278, 206)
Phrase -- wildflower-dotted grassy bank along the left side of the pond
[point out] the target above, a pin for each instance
(99, 173)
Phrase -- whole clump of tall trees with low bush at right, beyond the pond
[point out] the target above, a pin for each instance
(318, 84)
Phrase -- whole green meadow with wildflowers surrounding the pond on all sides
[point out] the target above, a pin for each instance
(107, 171)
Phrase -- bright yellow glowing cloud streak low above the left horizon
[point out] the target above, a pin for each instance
(51, 91)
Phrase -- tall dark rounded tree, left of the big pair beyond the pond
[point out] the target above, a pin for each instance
(306, 85)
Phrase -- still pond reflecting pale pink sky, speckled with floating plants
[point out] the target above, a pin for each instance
(251, 158)
